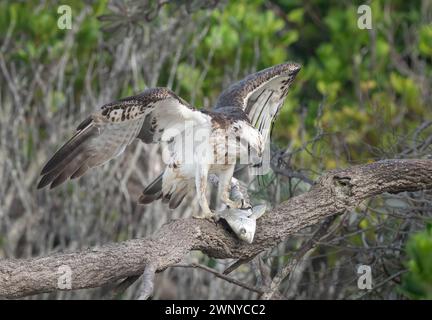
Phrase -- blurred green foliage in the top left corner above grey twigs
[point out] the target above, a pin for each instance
(36, 36)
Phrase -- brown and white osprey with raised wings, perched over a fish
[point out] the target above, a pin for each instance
(198, 143)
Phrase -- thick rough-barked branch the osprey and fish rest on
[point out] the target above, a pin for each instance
(334, 193)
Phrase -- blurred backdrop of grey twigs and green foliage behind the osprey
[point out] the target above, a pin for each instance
(362, 95)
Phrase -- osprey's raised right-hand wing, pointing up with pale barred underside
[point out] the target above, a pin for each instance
(259, 95)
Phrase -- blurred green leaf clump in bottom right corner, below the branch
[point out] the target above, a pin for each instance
(417, 283)
